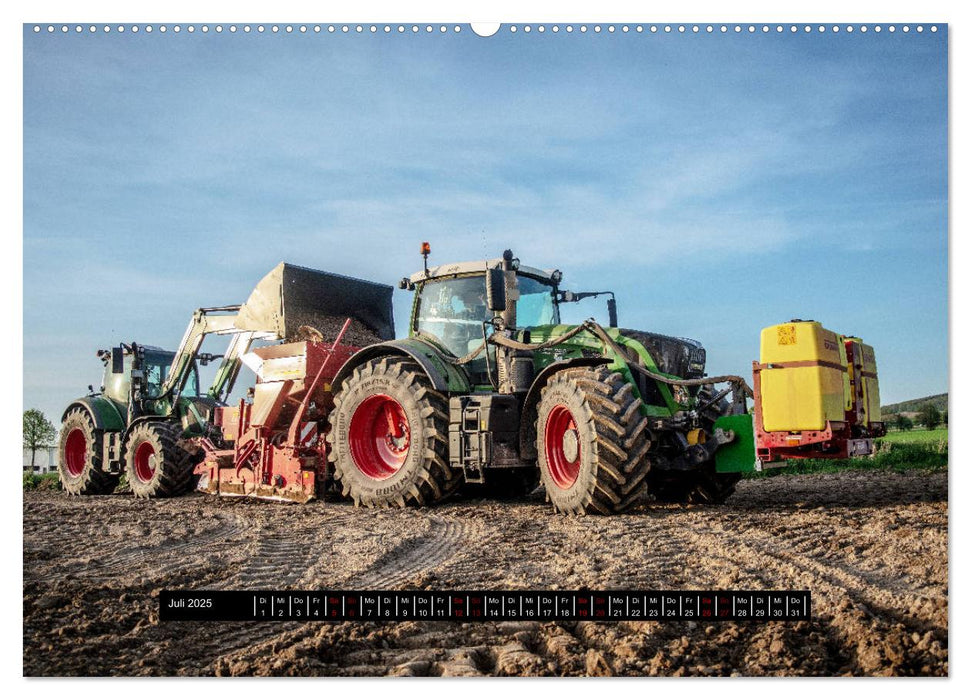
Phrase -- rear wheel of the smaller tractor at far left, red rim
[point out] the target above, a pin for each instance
(79, 463)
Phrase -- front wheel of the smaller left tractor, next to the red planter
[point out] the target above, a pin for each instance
(155, 464)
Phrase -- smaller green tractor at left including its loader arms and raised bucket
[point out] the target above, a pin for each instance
(150, 416)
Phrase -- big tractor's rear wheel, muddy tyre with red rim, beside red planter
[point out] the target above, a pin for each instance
(389, 437)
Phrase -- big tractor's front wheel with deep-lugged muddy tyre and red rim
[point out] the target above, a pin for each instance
(592, 442)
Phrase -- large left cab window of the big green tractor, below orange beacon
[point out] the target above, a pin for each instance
(452, 310)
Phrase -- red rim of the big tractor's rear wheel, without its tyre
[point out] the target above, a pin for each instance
(379, 437)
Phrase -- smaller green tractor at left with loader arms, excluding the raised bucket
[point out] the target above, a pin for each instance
(149, 400)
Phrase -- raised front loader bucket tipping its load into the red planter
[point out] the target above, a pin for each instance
(291, 296)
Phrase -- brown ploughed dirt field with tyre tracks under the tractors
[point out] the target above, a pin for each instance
(871, 546)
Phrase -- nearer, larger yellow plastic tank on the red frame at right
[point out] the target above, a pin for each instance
(804, 380)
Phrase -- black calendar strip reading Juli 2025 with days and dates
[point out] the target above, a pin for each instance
(485, 606)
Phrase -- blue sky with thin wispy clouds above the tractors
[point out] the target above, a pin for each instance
(718, 183)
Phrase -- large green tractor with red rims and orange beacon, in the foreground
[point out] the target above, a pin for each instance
(492, 392)
